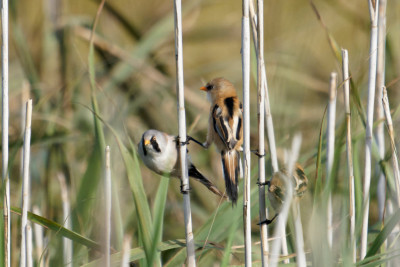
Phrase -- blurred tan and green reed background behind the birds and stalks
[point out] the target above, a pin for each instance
(136, 90)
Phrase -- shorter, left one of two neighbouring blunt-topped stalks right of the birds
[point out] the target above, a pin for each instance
(330, 148)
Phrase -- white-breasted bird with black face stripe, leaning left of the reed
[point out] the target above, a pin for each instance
(160, 153)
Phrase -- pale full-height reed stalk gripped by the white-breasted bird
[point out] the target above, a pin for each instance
(191, 260)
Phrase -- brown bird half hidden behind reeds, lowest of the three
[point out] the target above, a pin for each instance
(277, 188)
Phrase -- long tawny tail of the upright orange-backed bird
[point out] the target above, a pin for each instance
(231, 168)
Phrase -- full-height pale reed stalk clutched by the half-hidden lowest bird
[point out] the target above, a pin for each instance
(261, 149)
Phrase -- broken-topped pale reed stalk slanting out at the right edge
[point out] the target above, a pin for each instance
(395, 162)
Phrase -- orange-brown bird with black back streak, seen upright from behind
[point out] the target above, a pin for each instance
(225, 130)
